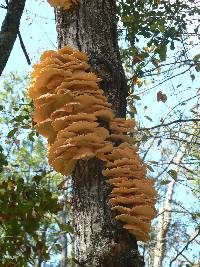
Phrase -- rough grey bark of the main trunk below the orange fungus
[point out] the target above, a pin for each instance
(100, 241)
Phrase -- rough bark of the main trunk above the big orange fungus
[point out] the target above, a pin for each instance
(91, 27)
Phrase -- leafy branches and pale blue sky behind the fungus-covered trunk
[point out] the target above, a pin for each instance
(159, 43)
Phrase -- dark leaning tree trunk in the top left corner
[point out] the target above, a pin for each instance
(9, 30)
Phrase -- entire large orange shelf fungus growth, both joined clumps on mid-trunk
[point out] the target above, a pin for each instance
(70, 110)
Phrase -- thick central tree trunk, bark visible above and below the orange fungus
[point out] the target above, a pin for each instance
(92, 27)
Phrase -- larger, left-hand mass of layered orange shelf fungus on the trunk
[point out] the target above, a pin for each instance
(69, 106)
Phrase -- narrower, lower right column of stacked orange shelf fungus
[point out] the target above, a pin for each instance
(133, 196)
